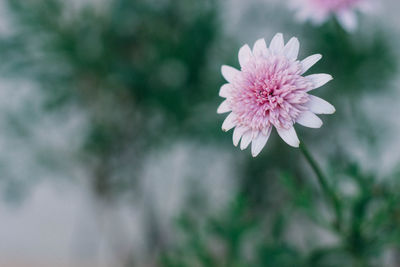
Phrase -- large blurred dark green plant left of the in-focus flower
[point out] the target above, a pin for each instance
(138, 71)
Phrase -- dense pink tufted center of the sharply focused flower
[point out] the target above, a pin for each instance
(269, 92)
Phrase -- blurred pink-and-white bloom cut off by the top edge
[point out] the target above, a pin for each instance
(318, 11)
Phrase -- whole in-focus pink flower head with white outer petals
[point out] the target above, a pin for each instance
(270, 91)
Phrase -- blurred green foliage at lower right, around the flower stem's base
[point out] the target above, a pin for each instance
(240, 237)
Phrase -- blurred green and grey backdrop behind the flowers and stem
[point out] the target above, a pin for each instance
(112, 152)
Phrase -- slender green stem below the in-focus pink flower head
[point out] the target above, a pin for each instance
(324, 185)
